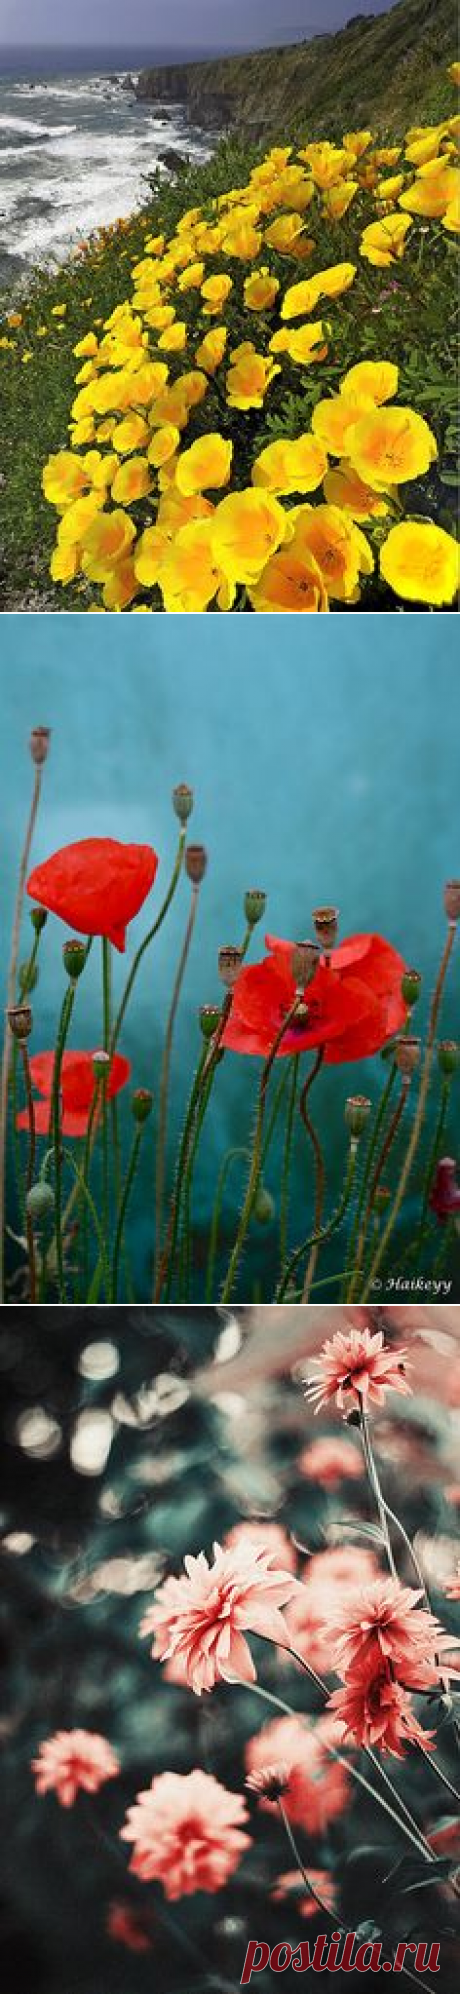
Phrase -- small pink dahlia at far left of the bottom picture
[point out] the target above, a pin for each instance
(75, 1762)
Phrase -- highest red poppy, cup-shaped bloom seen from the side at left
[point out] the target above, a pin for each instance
(97, 886)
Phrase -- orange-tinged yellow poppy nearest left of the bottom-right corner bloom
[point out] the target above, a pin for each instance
(338, 545)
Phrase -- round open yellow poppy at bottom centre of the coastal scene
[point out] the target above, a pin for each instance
(248, 527)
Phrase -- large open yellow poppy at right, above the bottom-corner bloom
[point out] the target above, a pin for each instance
(391, 446)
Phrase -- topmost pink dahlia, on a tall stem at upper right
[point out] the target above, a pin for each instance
(357, 1367)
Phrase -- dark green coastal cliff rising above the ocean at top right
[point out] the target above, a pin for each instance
(373, 71)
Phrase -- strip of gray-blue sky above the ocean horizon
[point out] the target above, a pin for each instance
(174, 23)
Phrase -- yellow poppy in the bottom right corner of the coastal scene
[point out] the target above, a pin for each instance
(421, 563)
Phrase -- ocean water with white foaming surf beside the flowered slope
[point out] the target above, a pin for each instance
(77, 151)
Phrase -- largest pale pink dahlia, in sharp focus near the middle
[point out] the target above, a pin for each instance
(200, 1618)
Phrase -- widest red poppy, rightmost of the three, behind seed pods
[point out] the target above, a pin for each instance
(353, 1002)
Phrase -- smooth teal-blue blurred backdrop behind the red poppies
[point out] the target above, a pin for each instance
(326, 769)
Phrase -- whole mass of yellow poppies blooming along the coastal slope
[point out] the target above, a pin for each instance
(202, 519)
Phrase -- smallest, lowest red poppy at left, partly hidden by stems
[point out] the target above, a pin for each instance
(79, 1086)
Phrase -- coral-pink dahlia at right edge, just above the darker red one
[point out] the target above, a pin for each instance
(385, 1632)
